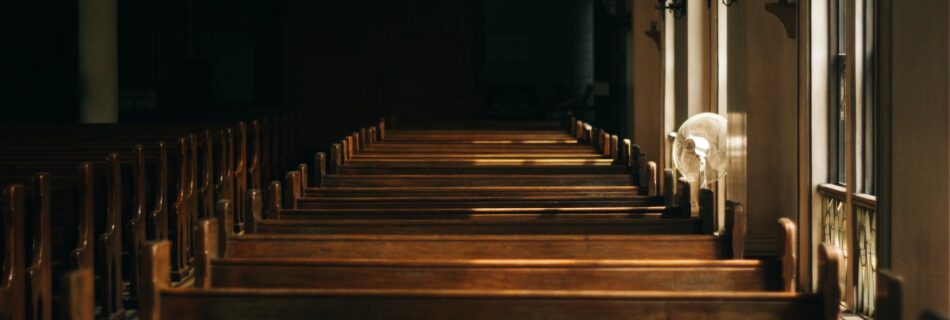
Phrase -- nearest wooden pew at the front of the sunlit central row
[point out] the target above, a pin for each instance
(231, 303)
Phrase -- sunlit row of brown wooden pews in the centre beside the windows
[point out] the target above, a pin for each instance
(369, 232)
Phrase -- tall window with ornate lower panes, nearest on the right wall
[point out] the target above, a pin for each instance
(847, 215)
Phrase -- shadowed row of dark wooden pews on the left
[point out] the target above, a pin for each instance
(82, 199)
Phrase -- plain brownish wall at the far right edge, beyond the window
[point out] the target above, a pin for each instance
(920, 212)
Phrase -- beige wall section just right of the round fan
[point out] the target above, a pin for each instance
(764, 106)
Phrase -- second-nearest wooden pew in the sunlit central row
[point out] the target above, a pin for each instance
(438, 272)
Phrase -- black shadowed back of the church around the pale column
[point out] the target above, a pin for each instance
(339, 65)
